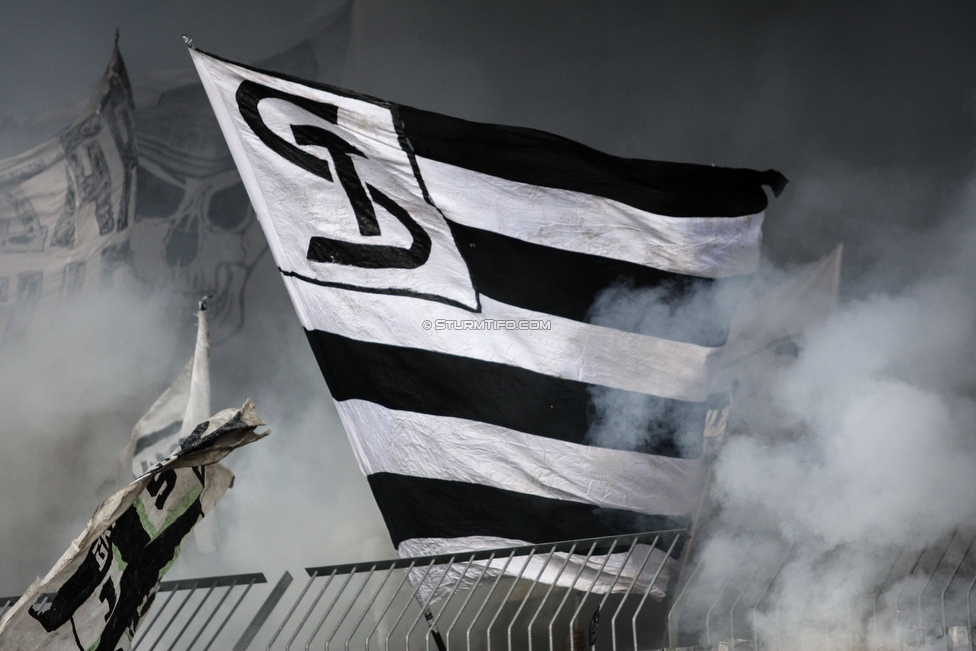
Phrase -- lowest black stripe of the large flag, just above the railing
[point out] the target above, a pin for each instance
(417, 507)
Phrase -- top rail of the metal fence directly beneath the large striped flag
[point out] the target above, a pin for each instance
(485, 554)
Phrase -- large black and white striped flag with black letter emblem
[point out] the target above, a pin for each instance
(445, 273)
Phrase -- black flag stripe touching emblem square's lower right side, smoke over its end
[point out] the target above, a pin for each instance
(566, 283)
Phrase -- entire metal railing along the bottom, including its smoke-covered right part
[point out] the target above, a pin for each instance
(596, 593)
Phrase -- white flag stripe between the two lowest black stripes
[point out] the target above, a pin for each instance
(438, 447)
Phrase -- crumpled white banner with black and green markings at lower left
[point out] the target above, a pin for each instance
(106, 581)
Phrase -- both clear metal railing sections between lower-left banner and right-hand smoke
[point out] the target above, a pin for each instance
(561, 596)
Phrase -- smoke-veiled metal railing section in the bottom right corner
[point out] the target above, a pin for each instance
(922, 600)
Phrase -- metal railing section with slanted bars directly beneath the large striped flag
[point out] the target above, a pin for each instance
(530, 597)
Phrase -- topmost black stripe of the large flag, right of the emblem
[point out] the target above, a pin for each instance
(539, 158)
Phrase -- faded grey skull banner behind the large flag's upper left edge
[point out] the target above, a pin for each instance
(195, 230)
